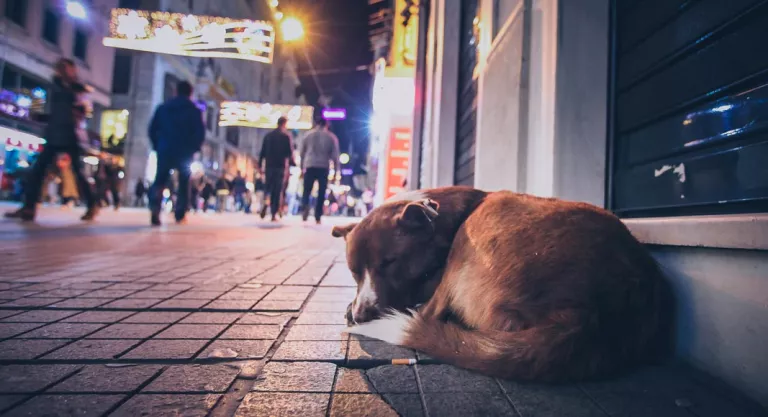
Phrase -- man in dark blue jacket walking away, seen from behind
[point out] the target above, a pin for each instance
(176, 132)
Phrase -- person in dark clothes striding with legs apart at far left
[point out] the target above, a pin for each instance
(61, 135)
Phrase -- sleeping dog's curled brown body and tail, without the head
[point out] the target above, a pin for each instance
(541, 289)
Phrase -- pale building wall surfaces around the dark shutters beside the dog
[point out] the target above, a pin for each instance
(721, 292)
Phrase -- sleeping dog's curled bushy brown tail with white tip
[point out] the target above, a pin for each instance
(549, 354)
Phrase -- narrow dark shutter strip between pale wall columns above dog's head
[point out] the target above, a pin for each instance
(466, 120)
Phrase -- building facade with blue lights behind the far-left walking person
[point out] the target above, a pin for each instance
(34, 34)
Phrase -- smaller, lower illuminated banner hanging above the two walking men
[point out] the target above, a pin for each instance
(264, 115)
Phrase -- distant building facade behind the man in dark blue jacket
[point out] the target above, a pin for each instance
(143, 80)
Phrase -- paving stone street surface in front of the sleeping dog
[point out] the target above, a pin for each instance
(229, 316)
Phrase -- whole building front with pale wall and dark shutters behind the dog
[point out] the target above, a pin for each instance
(654, 110)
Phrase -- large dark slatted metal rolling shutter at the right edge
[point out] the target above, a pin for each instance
(689, 131)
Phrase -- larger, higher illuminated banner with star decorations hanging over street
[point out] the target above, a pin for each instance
(190, 35)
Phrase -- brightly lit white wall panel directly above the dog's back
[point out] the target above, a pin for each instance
(516, 122)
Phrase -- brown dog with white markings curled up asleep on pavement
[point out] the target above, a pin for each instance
(514, 286)
